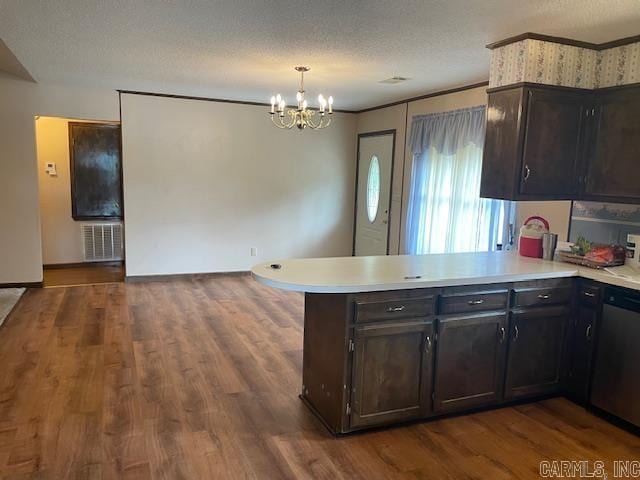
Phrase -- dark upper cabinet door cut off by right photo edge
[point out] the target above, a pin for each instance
(613, 165)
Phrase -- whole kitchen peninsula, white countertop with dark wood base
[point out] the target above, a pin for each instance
(396, 338)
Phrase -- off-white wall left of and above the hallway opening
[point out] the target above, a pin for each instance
(20, 102)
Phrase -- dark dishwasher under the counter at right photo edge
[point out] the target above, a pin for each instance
(616, 378)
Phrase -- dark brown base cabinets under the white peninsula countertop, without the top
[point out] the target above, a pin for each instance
(379, 358)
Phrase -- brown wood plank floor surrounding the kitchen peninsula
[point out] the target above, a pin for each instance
(199, 379)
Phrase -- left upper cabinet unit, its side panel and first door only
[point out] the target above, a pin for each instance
(534, 142)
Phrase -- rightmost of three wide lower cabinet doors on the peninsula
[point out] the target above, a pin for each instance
(535, 351)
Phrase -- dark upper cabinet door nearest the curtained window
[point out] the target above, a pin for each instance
(553, 143)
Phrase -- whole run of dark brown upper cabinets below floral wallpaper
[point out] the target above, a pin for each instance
(558, 143)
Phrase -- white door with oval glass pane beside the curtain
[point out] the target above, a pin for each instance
(373, 193)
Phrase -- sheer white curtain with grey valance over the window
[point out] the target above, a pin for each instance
(445, 211)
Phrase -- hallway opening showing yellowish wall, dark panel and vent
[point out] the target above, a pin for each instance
(80, 189)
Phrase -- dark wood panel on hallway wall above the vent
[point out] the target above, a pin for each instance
(96, 171)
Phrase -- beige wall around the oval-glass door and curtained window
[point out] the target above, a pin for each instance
(557, 213)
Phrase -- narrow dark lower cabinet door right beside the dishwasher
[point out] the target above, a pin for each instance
(581, 332)
